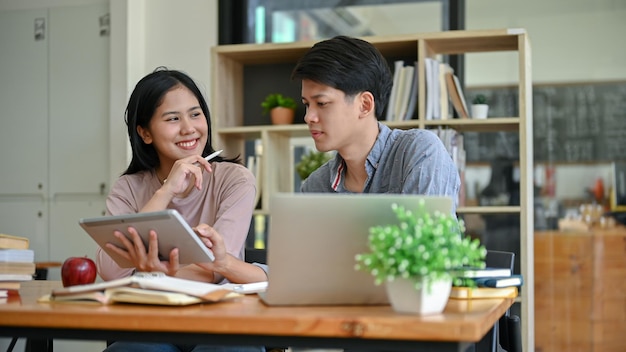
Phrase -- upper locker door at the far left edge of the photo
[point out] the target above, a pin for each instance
(24, 104)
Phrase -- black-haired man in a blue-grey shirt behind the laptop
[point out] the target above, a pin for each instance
(346, 83)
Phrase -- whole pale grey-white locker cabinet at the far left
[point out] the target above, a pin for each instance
(54, 149)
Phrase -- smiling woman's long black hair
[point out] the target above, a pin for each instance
(145, 99)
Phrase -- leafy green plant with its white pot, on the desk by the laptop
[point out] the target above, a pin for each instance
(415, 258)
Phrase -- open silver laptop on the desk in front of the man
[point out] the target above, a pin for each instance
(313, 239)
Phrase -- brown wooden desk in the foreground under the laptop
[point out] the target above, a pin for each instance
(247, 320)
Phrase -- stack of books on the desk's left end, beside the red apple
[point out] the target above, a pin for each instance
(17, 263)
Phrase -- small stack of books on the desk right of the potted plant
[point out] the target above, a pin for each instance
(487, 283)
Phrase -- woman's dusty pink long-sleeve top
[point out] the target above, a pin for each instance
(225, 203)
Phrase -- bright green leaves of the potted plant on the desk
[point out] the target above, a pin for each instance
(420, 245)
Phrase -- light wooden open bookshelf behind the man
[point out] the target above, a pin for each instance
(238, 89)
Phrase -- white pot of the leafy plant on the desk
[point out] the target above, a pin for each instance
(405, 298)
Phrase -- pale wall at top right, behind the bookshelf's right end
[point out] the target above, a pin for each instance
(572, 40)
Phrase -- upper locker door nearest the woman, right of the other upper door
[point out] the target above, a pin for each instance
(79, 101)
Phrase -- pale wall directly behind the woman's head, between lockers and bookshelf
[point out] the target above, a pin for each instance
(177, 34)
